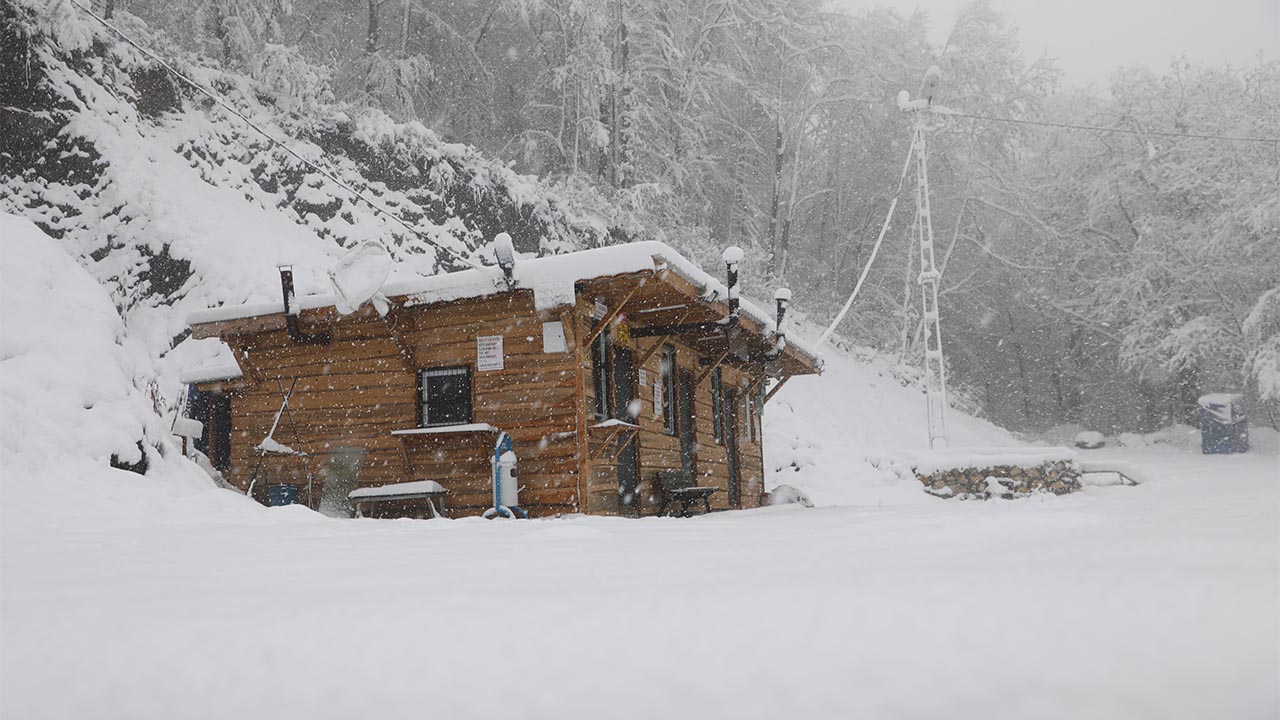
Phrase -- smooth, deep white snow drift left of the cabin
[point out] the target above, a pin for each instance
(72, 395)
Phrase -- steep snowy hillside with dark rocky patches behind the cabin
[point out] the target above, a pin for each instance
(173, 204)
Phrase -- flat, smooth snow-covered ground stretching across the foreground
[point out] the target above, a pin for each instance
(1151, 601)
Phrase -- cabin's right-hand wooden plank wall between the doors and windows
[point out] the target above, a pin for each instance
(660, 450)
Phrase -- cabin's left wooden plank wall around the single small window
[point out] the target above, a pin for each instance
(364, 385)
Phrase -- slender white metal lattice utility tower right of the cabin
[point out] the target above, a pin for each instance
(935, 370)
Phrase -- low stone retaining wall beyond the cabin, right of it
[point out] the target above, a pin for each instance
(1009, 482)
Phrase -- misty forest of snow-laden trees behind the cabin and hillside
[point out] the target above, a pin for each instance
(1095, 279)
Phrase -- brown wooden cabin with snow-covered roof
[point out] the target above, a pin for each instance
(604, 367)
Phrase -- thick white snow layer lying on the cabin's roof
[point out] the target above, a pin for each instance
(552, 280)
